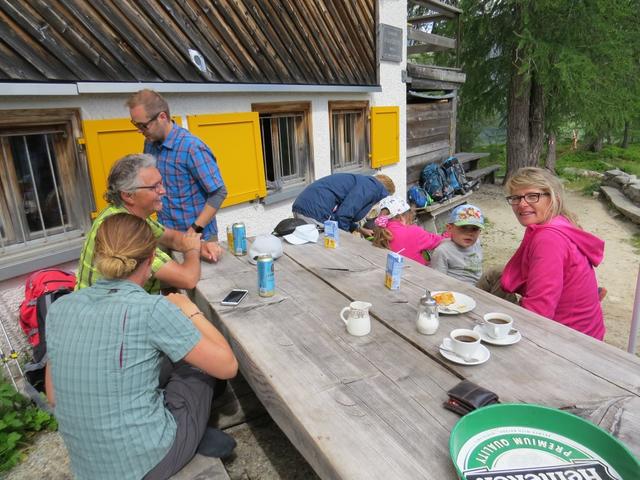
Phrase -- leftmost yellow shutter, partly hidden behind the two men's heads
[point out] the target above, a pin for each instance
(107, 141)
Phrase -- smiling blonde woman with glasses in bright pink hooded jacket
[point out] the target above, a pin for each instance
(553, 269)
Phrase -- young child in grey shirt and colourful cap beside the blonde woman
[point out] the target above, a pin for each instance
(460, 256)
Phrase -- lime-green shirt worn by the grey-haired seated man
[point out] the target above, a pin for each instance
(87, 273)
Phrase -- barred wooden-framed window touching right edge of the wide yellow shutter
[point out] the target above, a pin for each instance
(284, 128)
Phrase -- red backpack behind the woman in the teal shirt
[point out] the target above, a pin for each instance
(41, 283)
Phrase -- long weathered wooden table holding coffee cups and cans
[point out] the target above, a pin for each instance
(371, 407)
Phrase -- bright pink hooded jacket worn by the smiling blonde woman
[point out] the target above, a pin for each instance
(553, 271)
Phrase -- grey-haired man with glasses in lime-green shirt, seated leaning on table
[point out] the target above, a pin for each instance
(135, 187)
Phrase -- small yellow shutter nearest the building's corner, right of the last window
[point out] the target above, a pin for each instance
(385, 136)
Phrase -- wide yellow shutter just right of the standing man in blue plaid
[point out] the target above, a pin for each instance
(234, 139)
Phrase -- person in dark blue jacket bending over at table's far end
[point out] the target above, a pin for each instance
(343, 197)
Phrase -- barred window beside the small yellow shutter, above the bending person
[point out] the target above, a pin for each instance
(348, 131)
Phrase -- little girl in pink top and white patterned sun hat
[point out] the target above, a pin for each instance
(394, 229)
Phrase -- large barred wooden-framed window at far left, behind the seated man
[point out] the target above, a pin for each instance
(44, 194)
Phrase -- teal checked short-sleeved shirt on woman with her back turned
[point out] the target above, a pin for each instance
(105, 344)
